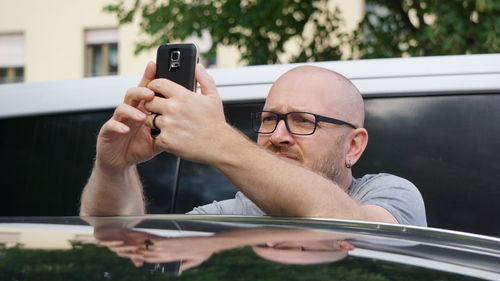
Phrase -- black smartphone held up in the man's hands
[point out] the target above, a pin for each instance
(177, 63)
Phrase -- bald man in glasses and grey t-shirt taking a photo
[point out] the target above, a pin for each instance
(300, 167)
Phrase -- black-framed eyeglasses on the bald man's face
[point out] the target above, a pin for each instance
(297, 123)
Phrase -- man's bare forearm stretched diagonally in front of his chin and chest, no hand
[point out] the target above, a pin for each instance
(280, 188)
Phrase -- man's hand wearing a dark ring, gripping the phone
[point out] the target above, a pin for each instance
(191, 124)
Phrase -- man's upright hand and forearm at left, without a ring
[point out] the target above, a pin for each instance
(114, 187)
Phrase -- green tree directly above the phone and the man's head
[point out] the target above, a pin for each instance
(259, 28)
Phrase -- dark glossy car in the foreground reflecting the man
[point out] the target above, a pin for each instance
(202, 247)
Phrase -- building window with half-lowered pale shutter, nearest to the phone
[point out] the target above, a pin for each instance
(101, 52)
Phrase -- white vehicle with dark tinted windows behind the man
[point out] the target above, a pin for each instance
(431, 120)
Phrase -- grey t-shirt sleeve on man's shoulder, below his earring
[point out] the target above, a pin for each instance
(397, 195)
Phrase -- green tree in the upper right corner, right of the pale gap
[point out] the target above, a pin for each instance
(393, 28)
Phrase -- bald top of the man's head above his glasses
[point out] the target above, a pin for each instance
(318, 90)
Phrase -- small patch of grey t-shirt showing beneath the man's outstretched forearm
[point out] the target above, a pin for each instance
(240, 205)
